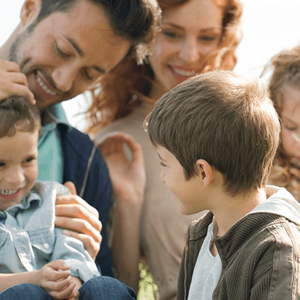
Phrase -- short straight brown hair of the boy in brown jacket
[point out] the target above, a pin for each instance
(224, 118)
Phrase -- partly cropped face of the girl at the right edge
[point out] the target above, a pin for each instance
(290, 117)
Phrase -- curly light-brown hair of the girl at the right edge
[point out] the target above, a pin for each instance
(286, 72)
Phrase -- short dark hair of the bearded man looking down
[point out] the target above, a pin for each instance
(134, 20)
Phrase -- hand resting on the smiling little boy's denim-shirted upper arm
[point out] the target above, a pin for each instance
(80, 219)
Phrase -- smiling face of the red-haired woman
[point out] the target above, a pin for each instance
(188, 33)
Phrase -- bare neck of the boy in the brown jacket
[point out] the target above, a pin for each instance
(231, 209)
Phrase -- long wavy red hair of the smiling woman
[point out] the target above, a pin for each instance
(115, 95)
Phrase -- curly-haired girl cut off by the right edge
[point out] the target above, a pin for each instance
(285, 93)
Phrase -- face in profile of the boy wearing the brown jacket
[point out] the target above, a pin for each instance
(187, 194)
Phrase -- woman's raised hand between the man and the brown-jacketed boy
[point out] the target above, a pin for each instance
(128, 176)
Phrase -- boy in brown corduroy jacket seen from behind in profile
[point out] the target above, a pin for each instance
(216, 135)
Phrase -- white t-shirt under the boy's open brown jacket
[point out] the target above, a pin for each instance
(206, 272)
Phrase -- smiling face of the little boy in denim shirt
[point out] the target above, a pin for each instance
(18, 166)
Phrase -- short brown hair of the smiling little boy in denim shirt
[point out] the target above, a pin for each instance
(16, 113)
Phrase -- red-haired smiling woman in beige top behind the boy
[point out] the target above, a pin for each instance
(196, 36)
